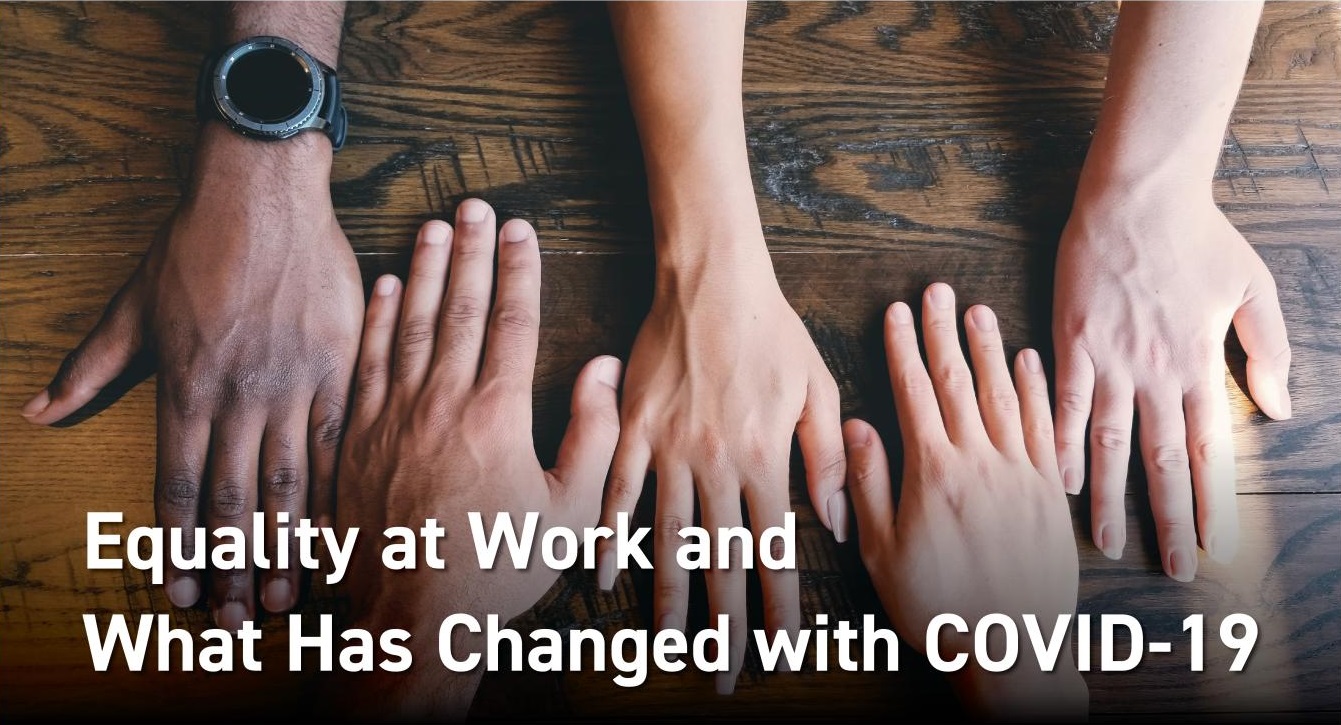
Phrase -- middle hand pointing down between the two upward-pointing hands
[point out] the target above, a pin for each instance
(722, 373)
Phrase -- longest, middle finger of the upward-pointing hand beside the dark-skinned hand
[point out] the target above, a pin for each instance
(469, 291)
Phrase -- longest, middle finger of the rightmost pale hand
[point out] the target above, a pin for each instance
(1165, 452)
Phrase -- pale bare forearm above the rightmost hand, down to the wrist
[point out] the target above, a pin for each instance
(1173, 81)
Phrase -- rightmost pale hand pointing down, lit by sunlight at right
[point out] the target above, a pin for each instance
(1147, 285)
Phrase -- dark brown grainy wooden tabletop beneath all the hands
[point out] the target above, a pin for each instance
(892, 145)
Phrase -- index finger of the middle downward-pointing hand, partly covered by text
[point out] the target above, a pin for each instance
(769, 503)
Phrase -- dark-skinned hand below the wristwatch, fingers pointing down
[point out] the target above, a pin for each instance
(250, 306)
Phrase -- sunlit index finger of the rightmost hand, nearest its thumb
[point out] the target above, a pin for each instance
(1210, 440)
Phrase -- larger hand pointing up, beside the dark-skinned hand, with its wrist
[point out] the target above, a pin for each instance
(442, 427)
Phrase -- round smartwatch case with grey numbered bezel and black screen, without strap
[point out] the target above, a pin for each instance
(269, 88)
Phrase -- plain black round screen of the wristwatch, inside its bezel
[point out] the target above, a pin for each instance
(269, 85)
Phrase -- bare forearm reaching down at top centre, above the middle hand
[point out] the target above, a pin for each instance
(683, 65)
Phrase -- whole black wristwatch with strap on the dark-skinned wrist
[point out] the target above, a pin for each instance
(269, 88)
